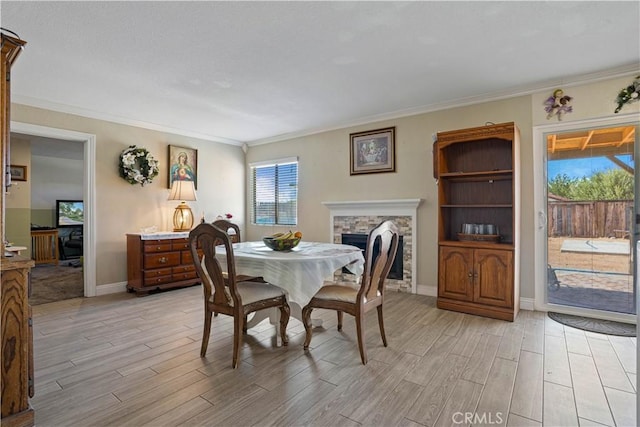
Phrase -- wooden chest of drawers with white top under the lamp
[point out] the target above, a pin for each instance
(155, 263)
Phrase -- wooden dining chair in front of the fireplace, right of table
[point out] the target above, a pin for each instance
(357, 301)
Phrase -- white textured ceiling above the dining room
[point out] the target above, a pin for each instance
(255, 72)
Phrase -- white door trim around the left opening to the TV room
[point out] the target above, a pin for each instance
(88, 142)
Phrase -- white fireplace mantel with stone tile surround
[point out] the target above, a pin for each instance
(401, 208)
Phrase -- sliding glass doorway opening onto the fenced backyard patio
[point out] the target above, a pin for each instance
(586, 232)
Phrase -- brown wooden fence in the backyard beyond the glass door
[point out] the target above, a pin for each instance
(611, 218)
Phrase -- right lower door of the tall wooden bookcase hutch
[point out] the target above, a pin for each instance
(494, 277)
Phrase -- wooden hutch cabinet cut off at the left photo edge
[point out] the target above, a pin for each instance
(16, 357)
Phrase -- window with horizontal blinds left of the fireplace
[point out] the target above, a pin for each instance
(274, 195)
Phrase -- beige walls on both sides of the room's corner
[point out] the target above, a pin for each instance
(324, 173)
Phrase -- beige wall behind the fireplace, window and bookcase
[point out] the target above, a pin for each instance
(324, 166)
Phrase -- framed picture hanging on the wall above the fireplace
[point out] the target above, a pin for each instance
(373, 151)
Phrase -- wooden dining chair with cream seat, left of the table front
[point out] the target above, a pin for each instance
(233, 298)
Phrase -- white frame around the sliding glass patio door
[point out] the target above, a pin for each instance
(540, 206)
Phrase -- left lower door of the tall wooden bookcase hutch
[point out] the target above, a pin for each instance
(455, 273)
